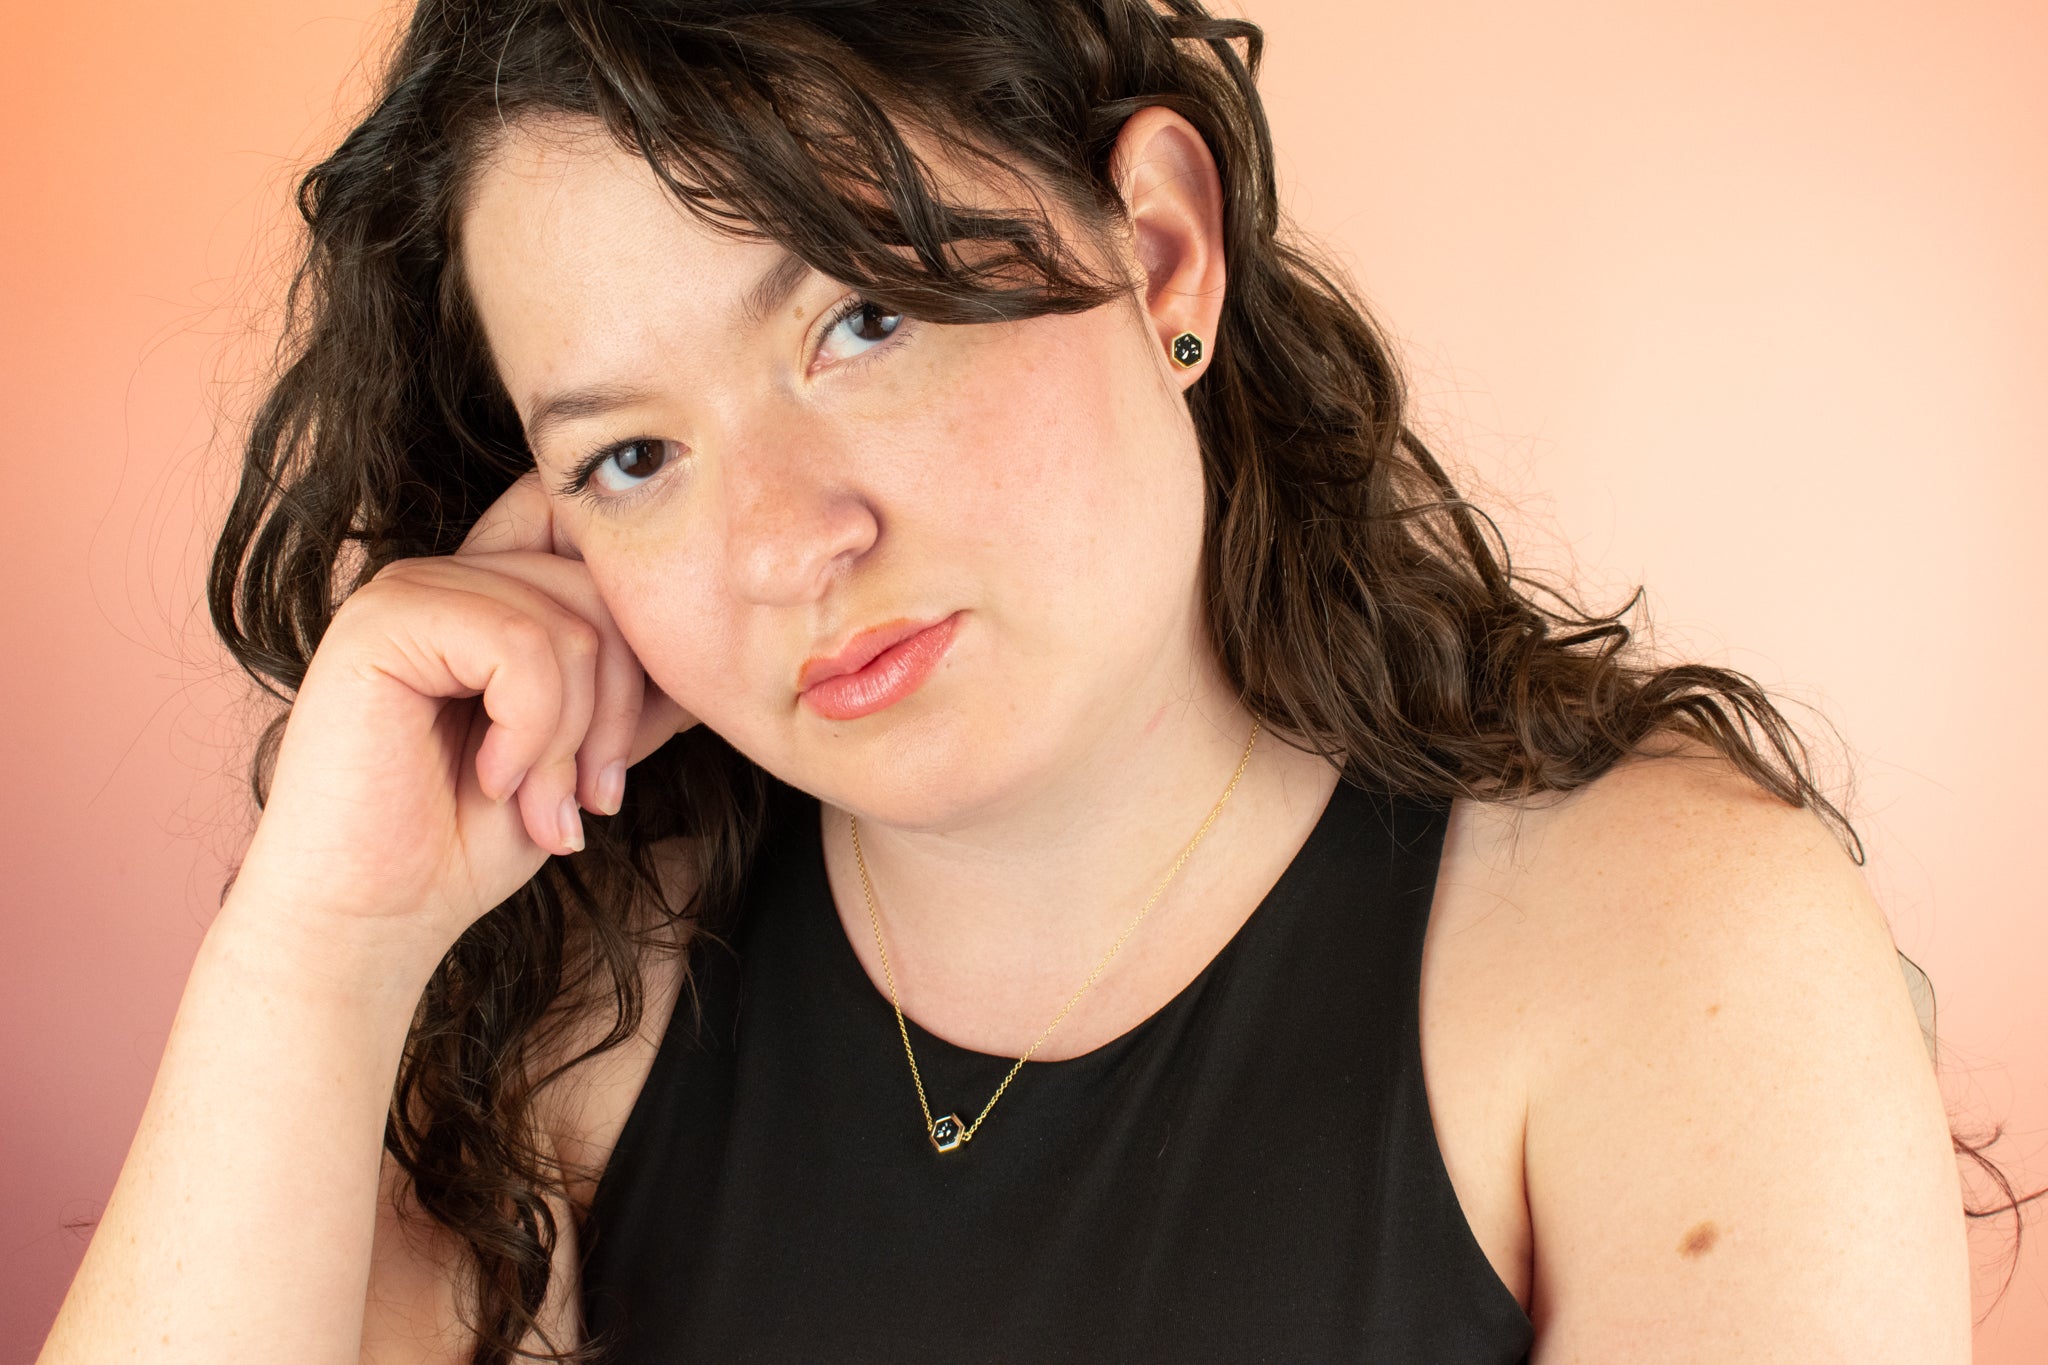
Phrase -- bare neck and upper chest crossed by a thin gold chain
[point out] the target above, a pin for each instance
(994, 920)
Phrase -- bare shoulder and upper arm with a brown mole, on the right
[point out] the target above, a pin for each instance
(1732, 1141)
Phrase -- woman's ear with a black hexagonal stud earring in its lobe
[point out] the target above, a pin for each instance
(1175, 200)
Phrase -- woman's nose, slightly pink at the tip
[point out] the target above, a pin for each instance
(794, 521)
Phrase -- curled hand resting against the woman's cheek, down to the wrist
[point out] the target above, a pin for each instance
(454, 719)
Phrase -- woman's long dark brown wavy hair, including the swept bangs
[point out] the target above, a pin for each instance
(1359, 603)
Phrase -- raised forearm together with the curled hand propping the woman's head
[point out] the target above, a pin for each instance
(456, 715)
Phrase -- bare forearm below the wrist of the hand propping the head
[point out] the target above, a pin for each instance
(241, 1227)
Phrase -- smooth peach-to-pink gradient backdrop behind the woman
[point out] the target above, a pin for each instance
(1742, 302)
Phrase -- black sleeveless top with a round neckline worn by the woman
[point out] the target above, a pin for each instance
(1246, 1176)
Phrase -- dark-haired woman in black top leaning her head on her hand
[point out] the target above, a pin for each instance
(1091, 854)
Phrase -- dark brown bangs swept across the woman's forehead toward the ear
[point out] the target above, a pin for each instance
(773, 128)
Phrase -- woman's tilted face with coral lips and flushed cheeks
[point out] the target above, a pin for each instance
(773, 484)
